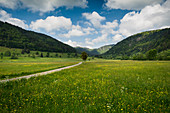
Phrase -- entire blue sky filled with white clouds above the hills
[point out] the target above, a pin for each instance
(87, 23)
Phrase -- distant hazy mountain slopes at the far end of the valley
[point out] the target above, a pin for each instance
(97, 51)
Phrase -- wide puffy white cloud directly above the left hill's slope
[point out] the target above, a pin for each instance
(52, 23)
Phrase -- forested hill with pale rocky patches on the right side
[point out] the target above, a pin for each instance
(141, 43)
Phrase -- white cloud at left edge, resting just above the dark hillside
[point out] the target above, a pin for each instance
(4, 16)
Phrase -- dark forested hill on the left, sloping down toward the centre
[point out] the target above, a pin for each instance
(15, 37)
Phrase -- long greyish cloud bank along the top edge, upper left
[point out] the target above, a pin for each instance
(43, 5)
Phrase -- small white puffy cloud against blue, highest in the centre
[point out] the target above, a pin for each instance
(94, 18)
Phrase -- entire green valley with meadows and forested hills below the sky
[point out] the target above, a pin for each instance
(130, 76)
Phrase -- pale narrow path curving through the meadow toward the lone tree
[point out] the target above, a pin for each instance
(40, 74)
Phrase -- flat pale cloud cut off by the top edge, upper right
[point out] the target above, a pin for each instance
(131, 4)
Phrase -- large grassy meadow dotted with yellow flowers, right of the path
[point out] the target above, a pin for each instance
(105, 86)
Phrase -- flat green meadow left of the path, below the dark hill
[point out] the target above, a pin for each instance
(10, 68)
